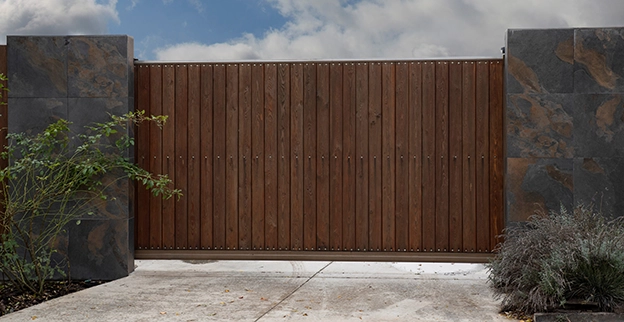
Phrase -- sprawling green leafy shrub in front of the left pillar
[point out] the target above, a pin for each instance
(53, 178)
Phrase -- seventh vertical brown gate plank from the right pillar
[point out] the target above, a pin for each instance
(415, 156)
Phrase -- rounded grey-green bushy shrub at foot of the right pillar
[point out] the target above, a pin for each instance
(556, 258)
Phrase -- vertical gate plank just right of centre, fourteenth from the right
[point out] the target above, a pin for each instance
(322, 157)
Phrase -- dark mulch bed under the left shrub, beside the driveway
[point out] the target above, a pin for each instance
(12, 300)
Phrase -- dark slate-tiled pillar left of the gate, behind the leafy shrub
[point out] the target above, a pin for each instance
(81, 79)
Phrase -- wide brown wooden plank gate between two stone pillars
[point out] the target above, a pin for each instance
(367, 160)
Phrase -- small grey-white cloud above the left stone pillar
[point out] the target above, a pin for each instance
(55, 17)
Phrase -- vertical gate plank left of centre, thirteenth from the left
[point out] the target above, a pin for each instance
(296, 146)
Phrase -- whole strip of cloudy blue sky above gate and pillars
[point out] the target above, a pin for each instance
(216, 30)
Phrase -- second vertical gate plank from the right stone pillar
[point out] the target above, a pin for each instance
(483, 157)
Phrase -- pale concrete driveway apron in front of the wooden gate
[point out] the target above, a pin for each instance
(279, 290)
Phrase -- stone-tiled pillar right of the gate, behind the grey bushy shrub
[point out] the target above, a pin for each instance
(565, 120)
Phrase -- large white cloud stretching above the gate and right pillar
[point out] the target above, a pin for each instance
(399, 28)
